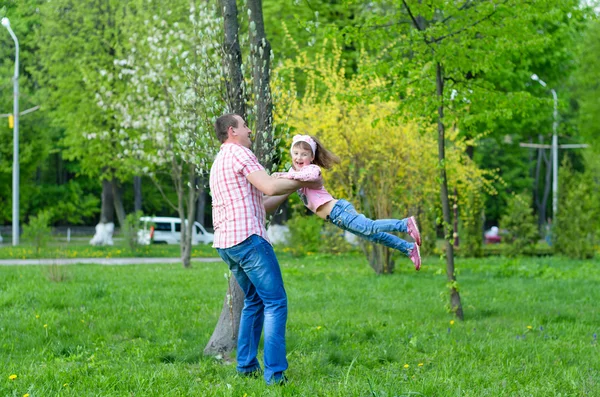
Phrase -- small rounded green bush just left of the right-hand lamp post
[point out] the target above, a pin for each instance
(522, 231)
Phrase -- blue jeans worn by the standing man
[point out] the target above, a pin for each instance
(255, 267)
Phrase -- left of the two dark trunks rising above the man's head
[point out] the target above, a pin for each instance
(233, 59)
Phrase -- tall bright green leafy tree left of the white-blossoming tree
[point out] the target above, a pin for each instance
(86, 37)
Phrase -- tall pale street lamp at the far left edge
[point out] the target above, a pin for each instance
(6, 24)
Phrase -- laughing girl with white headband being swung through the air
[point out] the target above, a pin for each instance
(308, 154)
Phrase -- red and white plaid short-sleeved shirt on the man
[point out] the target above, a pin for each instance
(238, 207)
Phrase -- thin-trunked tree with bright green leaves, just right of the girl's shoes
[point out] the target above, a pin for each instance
(449, 62)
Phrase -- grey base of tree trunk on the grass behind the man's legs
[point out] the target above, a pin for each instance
(224, 337)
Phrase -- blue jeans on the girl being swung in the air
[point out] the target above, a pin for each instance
(344, 216)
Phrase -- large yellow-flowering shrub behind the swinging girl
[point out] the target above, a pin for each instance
(388, 167)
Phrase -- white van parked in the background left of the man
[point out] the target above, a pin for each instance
(167, 230)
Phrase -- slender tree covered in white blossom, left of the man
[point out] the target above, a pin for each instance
(174, 92)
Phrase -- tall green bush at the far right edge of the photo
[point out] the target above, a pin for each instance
(576, 228)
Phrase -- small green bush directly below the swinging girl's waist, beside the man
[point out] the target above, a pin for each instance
(304, 234)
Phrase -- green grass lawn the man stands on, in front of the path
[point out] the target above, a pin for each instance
(530, 330)
